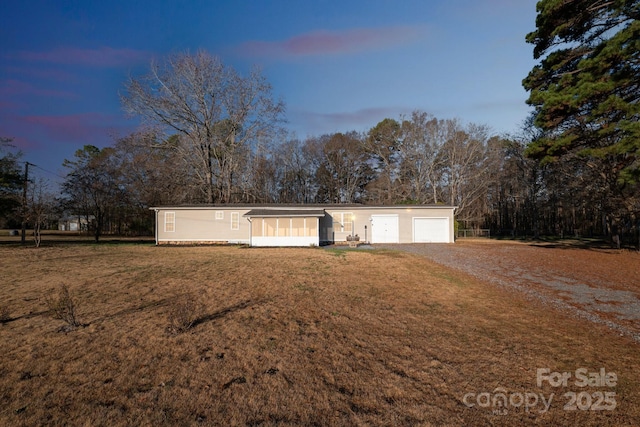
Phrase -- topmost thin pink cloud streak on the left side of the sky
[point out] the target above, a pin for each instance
(101, 57)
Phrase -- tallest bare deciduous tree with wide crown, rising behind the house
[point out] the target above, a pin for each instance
(216, 113)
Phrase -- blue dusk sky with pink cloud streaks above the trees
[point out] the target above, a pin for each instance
(337, 65)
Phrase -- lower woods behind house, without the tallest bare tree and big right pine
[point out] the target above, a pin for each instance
(418, 159)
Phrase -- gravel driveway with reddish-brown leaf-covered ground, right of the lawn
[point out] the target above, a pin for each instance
(599, 286)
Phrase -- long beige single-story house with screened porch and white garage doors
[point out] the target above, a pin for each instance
(303, 225)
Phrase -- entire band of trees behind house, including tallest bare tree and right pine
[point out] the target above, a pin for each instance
(212, 135)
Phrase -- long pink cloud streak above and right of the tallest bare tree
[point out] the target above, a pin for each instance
(333, 42)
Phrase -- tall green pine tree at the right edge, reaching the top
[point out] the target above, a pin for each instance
(585, 92)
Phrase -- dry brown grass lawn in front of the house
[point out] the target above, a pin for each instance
(290, 337)
